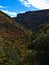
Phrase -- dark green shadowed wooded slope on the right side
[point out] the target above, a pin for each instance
(40, 45)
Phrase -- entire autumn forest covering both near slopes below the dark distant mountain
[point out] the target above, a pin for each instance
(22, 46)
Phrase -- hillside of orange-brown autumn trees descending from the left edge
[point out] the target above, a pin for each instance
(14, 39)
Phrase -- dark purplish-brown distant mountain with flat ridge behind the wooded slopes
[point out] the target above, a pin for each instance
(33, 19)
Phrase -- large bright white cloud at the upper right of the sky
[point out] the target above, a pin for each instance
(40, 4)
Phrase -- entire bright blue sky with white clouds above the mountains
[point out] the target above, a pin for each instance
(13, 7)
